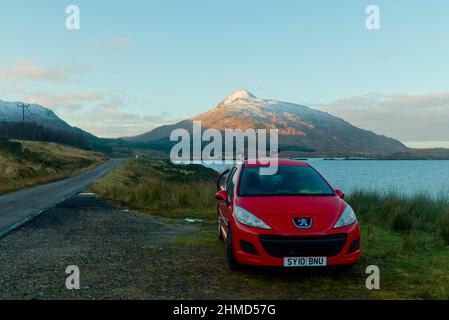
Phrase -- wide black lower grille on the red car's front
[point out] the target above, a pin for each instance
(321, 246)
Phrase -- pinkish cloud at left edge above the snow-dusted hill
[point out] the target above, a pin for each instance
(28, 70)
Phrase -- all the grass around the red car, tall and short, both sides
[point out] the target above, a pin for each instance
(406, 237)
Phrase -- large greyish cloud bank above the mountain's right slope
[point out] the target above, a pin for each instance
(419, 117)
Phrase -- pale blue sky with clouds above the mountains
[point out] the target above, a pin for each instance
(138, 64)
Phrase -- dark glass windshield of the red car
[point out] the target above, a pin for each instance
(288, 181)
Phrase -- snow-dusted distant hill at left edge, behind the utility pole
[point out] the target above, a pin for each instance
(10, 112)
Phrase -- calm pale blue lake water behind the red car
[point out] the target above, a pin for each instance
(408, 176)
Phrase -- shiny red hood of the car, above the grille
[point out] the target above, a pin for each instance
(279, 212)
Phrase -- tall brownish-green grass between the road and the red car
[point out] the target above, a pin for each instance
(160, 187)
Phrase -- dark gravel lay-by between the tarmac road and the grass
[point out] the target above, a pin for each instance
(117, 252)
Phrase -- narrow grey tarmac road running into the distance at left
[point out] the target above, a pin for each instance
(22, 206)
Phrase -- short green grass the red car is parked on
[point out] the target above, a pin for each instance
(411, 268)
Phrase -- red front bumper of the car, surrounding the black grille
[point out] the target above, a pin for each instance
(348, 251)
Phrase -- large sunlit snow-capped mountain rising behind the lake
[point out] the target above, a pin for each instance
(300, 127)
